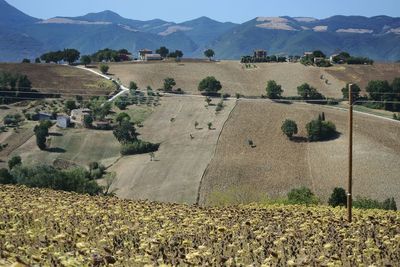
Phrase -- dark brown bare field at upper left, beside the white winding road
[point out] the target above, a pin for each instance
(53, 78)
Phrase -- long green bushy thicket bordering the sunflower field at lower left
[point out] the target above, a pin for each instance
(45, 176)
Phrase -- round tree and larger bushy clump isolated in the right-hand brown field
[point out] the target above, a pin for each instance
(317, 130)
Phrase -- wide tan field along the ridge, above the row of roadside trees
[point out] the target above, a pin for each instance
(235, 78)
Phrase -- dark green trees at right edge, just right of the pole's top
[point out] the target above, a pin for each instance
(386, 94)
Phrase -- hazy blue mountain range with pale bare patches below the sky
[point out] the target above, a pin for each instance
(22, 36)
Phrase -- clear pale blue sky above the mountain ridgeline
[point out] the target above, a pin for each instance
(222, 10)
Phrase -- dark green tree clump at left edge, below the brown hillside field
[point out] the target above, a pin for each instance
(16, 87)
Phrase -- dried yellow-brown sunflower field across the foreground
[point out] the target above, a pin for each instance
(48, 228)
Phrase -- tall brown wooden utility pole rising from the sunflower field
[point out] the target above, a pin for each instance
(350, 178)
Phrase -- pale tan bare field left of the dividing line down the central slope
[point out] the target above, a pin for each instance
(175, 174)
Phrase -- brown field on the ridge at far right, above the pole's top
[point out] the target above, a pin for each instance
(362, 74)
